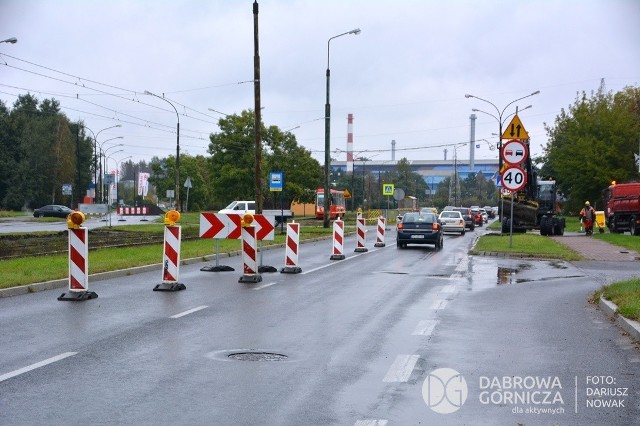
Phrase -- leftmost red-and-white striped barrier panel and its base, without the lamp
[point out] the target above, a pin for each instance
(78, 266)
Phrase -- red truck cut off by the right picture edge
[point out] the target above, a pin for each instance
(622, 210)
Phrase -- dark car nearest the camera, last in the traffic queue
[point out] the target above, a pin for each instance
(416, 228)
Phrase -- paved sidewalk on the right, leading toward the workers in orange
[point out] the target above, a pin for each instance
(594, 249)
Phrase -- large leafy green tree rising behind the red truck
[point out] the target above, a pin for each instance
(592, 144)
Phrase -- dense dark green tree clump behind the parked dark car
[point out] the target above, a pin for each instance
(41, 151)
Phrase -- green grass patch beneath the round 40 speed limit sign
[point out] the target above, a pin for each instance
(524, 244)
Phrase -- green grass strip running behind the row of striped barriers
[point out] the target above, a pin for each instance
(29, 270)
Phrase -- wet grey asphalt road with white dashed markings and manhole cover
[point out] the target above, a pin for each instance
(344, 342)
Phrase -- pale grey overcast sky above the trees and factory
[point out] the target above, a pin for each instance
(404, 77)
